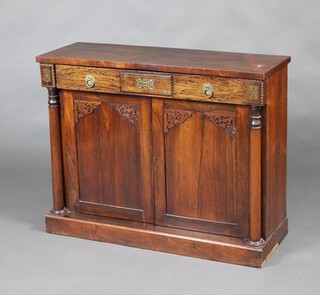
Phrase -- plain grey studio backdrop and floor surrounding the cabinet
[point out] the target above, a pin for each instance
(33, 262)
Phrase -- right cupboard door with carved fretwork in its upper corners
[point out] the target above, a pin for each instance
(201, 156)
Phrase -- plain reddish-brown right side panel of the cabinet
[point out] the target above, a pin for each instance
(274, 153)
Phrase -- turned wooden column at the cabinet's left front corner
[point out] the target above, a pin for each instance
(56, 158)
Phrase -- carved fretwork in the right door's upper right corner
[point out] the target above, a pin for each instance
(224, 120)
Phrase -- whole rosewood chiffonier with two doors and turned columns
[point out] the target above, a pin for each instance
(174, 150)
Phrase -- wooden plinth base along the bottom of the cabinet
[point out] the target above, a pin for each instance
(165, 239)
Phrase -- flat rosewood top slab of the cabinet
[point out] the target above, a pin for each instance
(203, 62)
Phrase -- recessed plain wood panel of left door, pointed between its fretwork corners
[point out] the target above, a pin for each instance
(109, 159)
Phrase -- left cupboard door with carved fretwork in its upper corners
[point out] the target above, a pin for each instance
(107, 155)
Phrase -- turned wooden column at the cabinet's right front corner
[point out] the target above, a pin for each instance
(255, 178)
